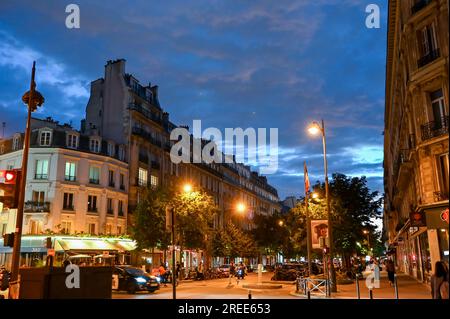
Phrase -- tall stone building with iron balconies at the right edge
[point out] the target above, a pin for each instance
(416, 163)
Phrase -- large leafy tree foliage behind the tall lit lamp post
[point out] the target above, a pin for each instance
(353, 209)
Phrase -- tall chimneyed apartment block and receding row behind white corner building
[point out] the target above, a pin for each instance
(122, 109)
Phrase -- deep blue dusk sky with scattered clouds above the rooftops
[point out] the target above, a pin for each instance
(261, 64)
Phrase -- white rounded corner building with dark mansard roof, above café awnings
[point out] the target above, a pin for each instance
(76, 184)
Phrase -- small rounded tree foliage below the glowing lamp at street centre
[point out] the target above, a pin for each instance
(231, 241)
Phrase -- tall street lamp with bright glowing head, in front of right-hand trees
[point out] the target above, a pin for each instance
(314, 129)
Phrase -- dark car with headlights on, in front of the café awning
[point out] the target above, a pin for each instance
(132, 279)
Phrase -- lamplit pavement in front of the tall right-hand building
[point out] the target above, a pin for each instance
(408, 288)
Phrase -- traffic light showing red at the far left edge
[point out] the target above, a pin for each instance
(10, 185)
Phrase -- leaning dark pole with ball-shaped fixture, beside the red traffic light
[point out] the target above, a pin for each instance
(33, 99)
